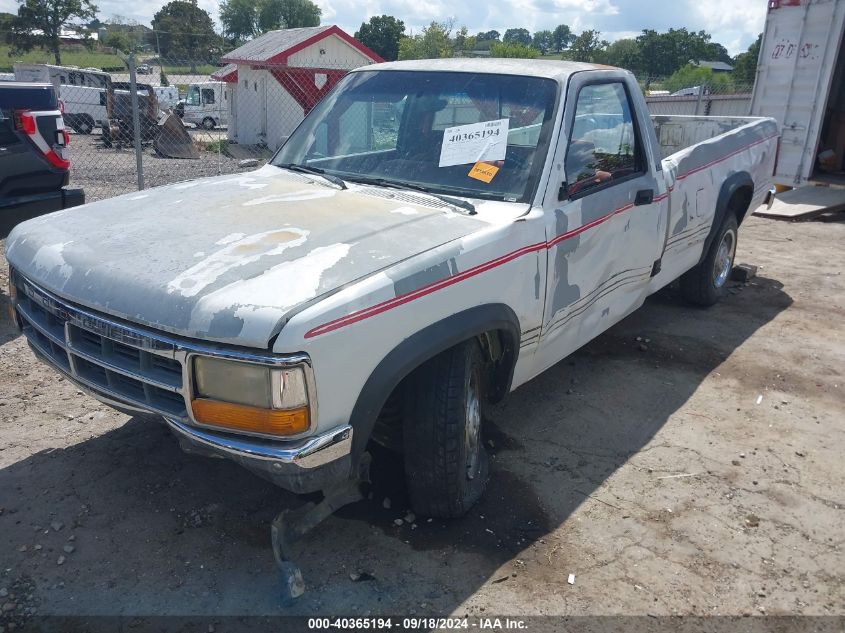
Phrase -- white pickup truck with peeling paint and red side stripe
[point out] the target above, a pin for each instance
(433, 235)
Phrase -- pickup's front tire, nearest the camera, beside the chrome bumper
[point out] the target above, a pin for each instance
(446, 465)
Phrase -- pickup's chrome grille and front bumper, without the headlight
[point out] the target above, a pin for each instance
(137, 370)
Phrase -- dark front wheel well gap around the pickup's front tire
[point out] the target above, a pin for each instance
(500, 352)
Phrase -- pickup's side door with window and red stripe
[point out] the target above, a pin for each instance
(603, 230)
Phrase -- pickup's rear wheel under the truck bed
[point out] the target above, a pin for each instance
(707, 283)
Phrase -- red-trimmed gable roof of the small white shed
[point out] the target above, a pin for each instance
(277, 46)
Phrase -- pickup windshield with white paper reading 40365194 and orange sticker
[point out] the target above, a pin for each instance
(468, 134)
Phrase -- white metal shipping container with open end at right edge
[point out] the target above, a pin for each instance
(801, 83)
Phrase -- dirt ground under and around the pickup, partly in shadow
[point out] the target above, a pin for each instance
(686, 462)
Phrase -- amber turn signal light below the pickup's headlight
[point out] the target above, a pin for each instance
(239, 417)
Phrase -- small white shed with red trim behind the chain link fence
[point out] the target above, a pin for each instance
(279, 76)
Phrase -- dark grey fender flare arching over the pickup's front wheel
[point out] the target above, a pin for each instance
(426, 344)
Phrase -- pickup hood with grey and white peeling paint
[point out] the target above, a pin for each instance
(226, 259)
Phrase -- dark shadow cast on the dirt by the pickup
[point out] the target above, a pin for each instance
(160, 532)
